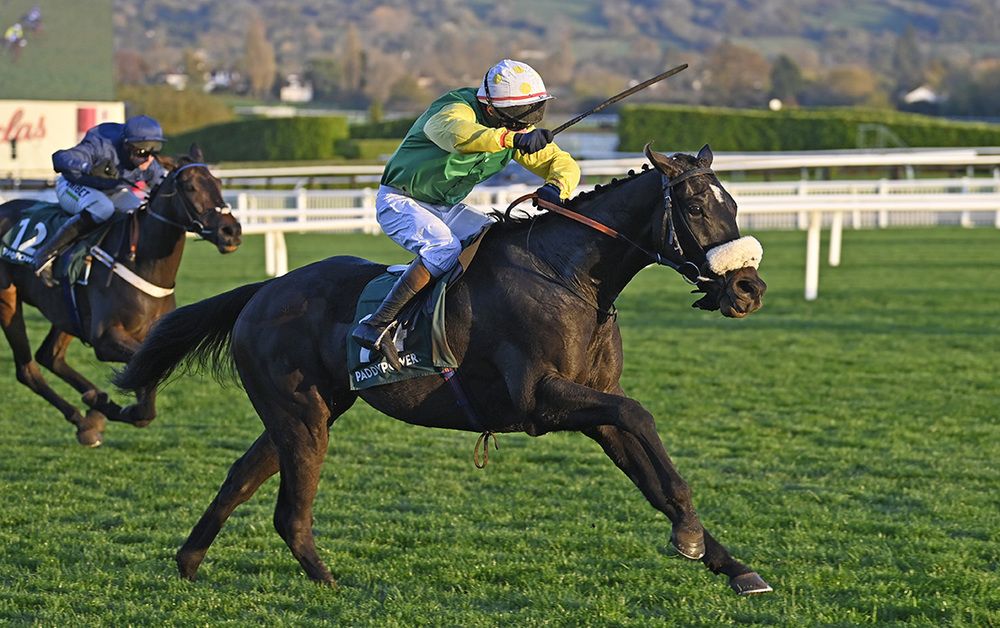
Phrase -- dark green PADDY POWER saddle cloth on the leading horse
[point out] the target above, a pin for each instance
(420, 336)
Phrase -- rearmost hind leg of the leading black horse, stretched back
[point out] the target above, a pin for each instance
(245, 476)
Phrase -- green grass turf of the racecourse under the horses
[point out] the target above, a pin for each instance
(846, 449)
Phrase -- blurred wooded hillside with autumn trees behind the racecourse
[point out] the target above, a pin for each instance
(391, 56)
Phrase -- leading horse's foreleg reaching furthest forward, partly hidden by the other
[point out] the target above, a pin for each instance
(626, 452)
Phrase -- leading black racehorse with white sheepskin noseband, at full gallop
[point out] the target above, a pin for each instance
(530, 321)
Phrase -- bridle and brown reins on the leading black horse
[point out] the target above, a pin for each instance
(669, 251)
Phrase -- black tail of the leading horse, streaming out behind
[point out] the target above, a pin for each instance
(197, 335)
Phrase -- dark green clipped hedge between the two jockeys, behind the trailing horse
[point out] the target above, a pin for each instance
(266, 139)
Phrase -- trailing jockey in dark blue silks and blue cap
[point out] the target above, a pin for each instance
(96, 178)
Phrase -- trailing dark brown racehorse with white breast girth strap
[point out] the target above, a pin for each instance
(116, 309)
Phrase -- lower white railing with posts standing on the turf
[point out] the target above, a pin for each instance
(806, 205)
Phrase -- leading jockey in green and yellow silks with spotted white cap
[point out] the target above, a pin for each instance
(462, 139)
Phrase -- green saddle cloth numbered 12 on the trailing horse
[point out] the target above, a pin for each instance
(40, 222)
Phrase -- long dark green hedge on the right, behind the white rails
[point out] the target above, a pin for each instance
(687, 128)
